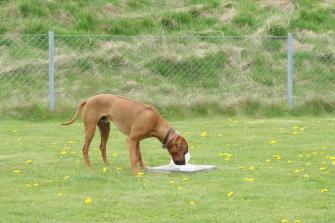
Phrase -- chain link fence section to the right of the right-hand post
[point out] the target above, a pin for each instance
(314, 71)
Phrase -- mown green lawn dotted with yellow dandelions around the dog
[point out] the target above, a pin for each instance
(269, 170)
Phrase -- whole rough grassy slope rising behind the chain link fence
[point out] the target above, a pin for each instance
(231, 75)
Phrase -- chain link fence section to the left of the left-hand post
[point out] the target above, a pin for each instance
(23, 72)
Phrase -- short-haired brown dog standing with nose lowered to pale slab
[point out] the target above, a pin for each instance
(138, 121)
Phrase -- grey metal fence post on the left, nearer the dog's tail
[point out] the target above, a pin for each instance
(51, 72)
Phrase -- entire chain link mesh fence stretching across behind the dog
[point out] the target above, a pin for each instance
(170, 72)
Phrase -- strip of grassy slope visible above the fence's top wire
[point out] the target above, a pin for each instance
(157, 17)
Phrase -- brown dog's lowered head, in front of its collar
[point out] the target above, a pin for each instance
(178, 149)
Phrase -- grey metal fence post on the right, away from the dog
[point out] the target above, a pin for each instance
(290, 70)
